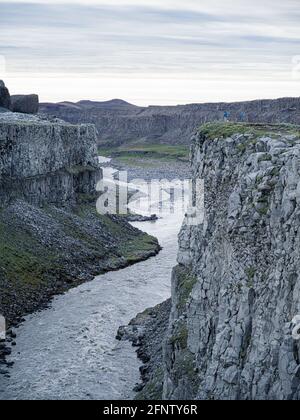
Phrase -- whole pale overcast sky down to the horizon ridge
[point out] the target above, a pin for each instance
(151, 51)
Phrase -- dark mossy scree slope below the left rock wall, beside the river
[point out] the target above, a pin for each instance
(52, 249)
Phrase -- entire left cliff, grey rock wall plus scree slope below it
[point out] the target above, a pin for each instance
(51, 236)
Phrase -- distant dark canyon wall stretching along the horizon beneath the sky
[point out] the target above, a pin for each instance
(119, 122)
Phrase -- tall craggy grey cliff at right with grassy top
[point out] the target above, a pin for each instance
(237, 287)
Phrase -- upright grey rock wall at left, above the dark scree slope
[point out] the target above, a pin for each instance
(42, 161)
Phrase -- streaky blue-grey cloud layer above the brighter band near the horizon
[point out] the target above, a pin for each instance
(211, 39)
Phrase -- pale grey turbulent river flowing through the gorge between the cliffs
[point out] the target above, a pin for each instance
(69, 350)
